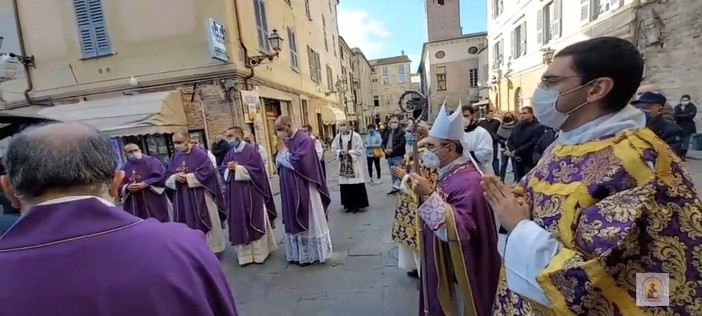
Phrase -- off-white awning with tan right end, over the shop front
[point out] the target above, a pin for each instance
(142, 114)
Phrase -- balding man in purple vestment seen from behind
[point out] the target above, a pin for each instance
(74, 253)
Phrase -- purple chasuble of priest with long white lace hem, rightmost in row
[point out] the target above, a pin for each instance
(295, 195)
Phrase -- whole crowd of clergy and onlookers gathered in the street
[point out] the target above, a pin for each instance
(599, 200)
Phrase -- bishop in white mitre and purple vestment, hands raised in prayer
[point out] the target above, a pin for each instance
(459, 236)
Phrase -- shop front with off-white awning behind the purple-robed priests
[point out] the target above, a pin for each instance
(148, 120)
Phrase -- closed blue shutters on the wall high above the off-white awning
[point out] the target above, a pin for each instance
(92, 28)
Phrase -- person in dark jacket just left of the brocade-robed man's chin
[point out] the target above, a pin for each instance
(522, 141)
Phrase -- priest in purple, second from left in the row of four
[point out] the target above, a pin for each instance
(197, 196)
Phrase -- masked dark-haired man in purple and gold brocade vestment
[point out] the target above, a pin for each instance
(609, 207)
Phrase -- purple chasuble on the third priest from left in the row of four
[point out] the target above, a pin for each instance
(246, 200)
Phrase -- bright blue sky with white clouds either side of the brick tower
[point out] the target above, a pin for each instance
(384, 28)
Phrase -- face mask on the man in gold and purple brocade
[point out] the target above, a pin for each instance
(545, 107)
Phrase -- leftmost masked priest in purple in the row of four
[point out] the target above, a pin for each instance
(143, 187)
